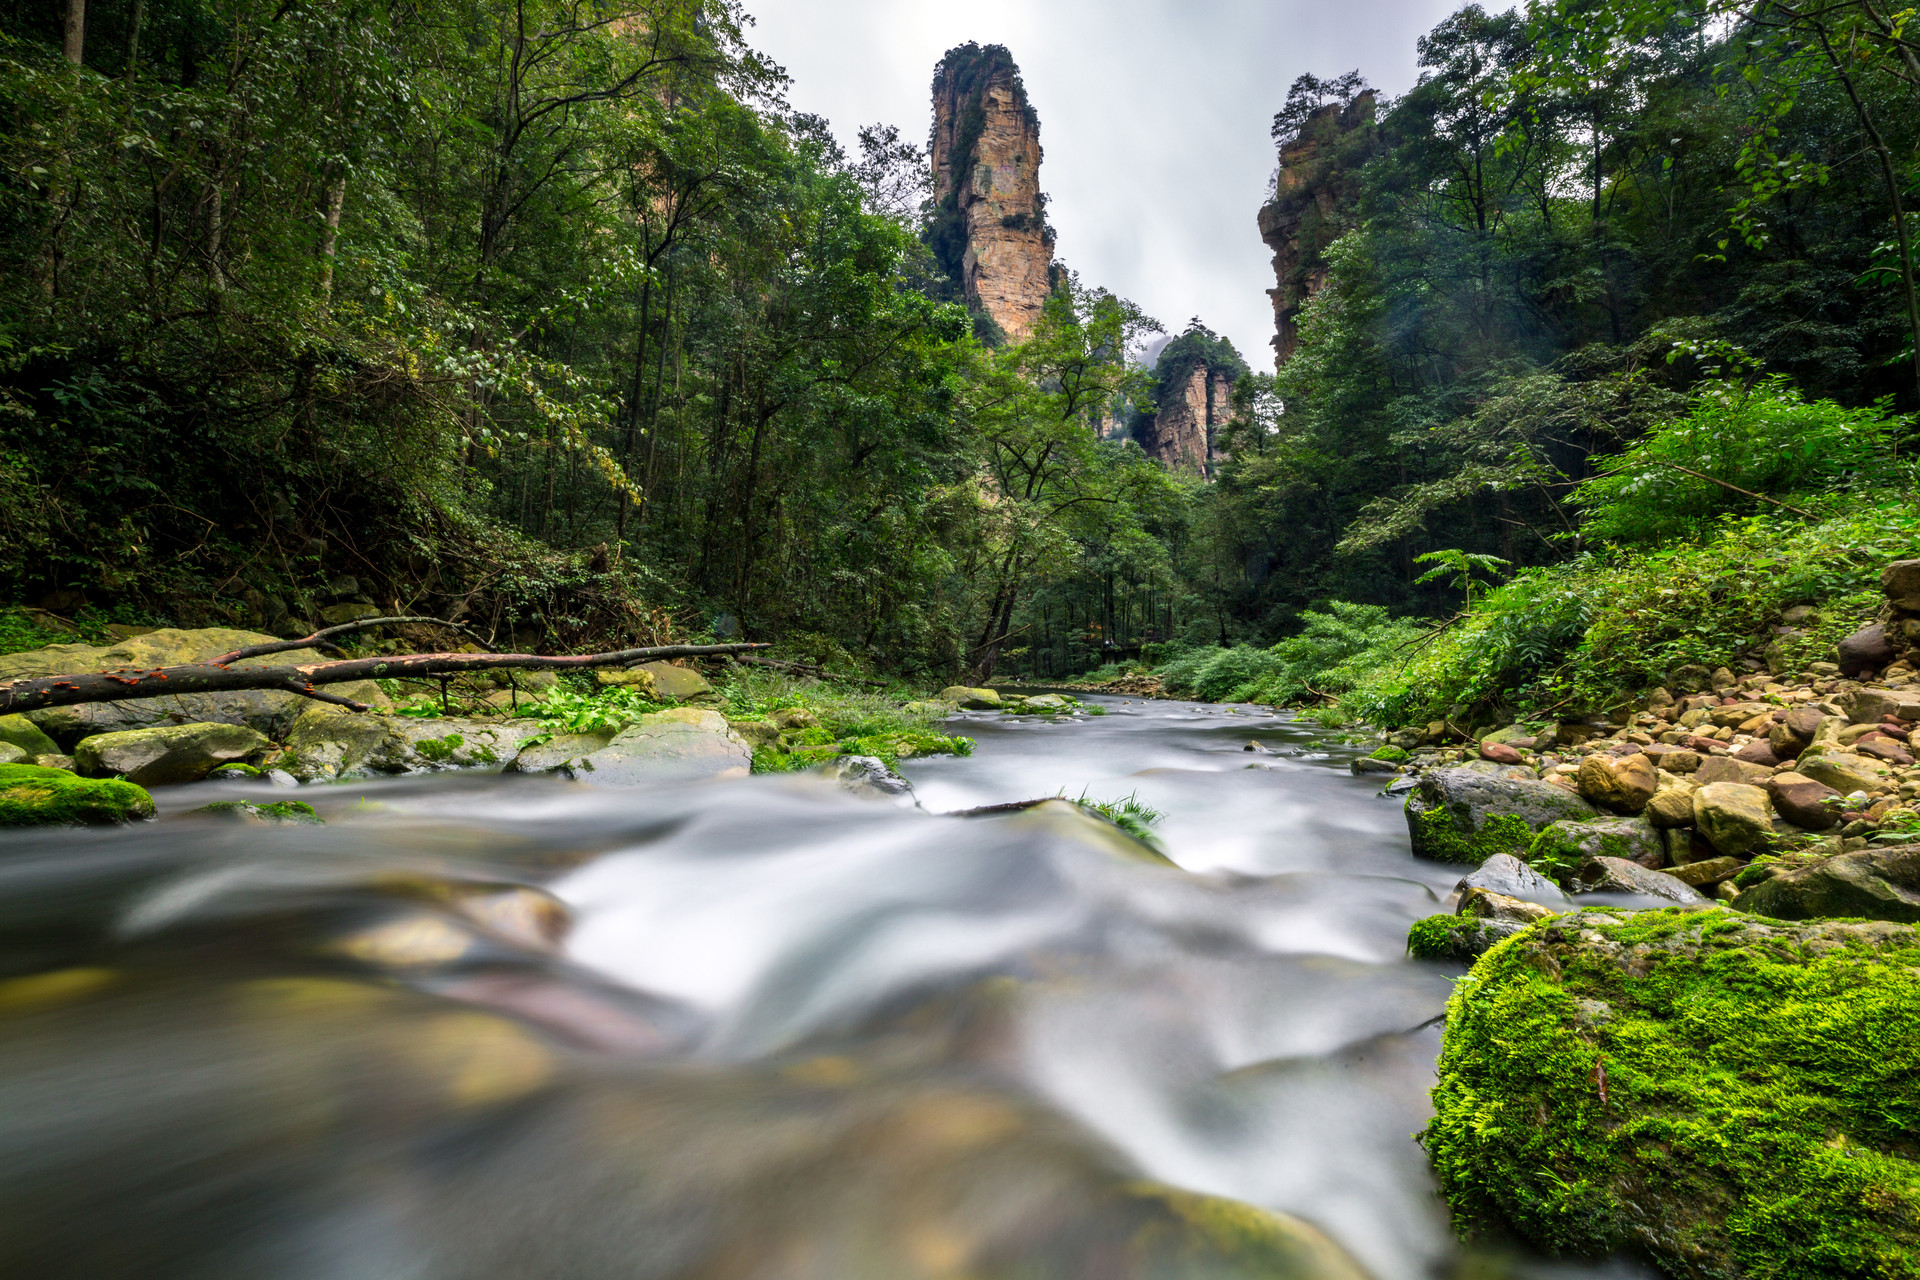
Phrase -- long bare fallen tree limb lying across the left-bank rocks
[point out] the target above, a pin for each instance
(133, 682)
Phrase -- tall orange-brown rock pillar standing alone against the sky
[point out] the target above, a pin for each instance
(990, 225)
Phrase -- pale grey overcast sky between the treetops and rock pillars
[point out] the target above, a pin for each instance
(1155, 118)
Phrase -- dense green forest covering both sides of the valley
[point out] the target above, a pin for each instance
(558, 320)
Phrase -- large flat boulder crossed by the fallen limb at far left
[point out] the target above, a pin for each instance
(270, 713)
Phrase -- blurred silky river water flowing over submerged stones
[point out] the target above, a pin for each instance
(489, 1028)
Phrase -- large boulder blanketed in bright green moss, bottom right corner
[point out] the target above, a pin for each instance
(1733, 1097)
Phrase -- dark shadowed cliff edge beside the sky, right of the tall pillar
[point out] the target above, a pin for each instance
(1310, 208)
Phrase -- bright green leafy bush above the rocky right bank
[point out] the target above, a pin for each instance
(1764, 440)
